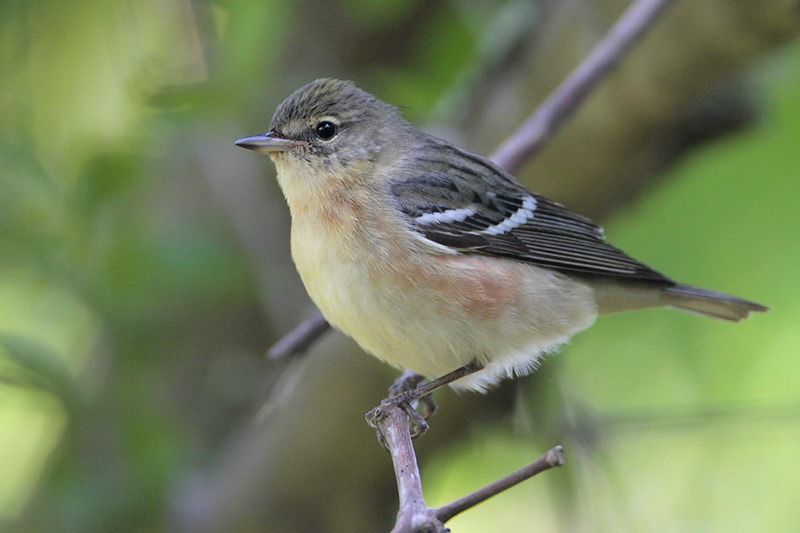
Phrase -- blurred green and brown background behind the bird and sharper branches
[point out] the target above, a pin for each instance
(144, 268)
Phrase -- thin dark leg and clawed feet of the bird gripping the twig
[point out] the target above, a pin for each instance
(411, 391)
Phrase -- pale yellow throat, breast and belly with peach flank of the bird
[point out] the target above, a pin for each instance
(417, 306)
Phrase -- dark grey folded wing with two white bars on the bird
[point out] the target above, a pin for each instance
(470, 205)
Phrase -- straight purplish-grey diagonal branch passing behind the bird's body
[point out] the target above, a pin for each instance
(534, 134)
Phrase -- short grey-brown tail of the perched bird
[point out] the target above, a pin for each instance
(710, 303)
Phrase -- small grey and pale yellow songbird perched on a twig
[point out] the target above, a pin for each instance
(431, 257)
